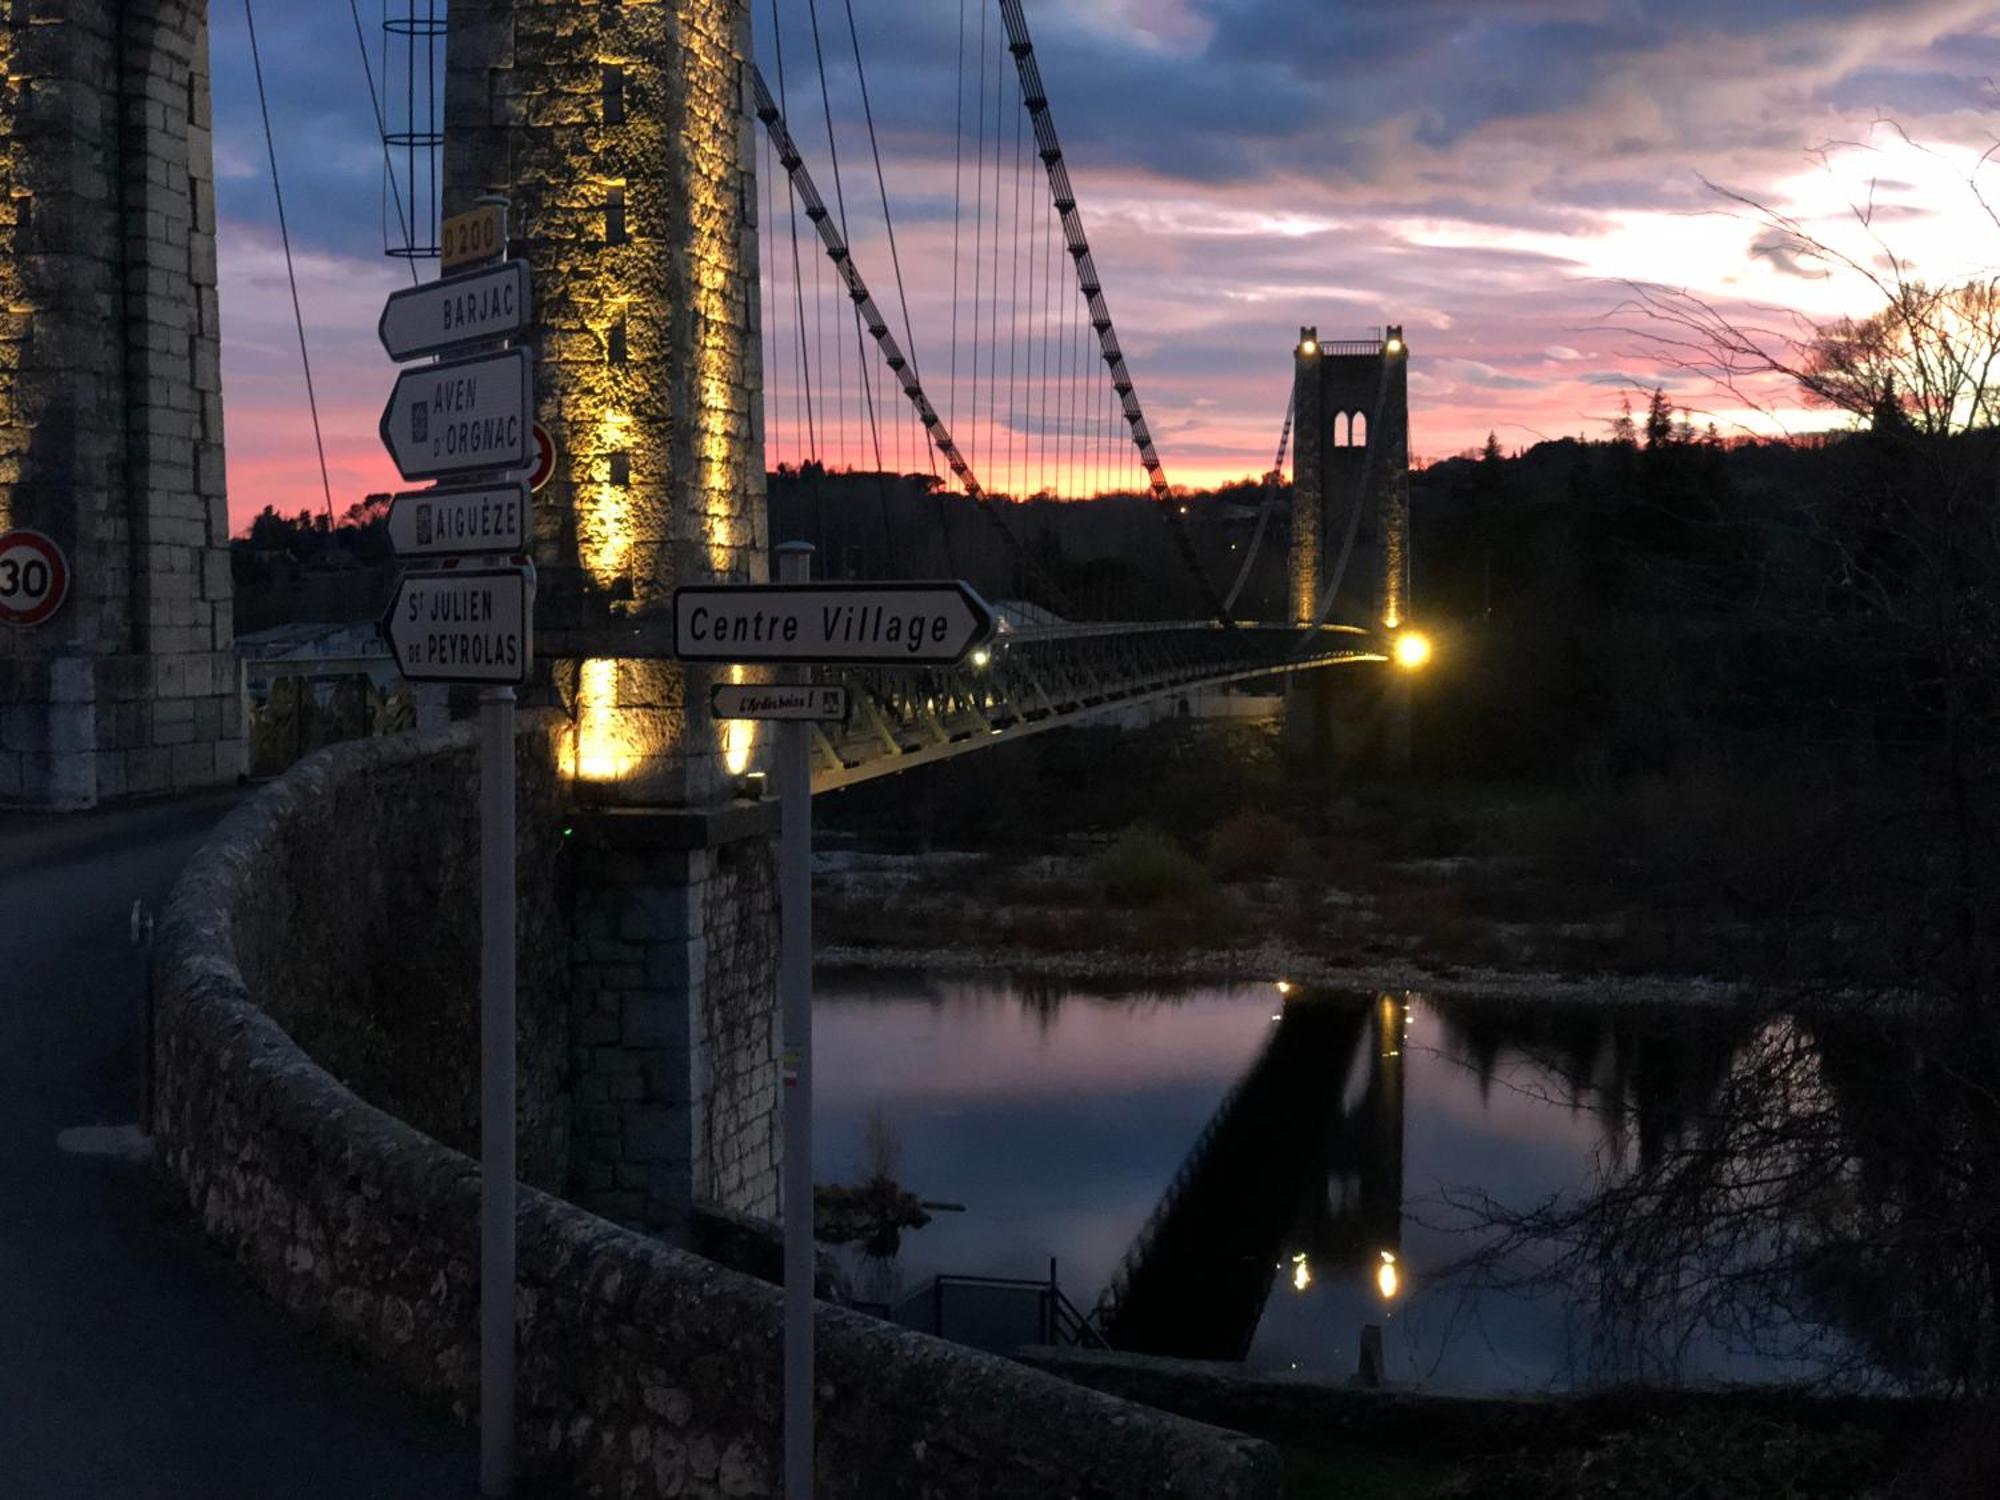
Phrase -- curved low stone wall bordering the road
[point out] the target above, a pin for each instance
(643, 1371)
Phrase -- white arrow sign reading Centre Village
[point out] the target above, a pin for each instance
(883, 625)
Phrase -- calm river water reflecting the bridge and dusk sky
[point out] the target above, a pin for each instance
(1257, 1175)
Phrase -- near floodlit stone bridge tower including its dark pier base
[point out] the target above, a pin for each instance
(621, 137)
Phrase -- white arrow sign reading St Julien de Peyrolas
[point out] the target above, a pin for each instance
(463, 625)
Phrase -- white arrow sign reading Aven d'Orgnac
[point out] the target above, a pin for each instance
(461, 417)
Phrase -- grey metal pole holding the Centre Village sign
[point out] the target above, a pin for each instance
(795, 987)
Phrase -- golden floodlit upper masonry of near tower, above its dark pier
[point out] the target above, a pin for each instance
(621, 137)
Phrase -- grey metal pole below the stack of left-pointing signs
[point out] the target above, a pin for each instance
(497, 1091)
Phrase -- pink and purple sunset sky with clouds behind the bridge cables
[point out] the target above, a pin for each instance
(1487, 173)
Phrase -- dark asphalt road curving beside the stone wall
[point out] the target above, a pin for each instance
(135, 1361)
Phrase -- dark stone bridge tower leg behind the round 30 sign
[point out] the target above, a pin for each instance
(111, 405)
